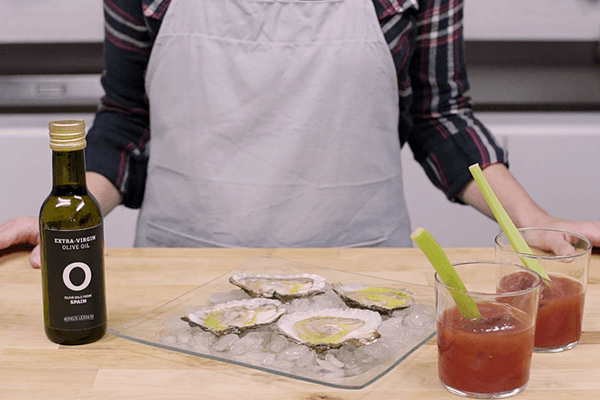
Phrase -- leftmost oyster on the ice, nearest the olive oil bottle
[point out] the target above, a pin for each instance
(236, 316)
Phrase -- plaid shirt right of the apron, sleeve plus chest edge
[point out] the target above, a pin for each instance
(426, 40)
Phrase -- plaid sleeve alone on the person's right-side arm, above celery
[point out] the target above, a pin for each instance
(445, 137)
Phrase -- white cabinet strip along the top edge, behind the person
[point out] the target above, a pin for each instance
(81, 20)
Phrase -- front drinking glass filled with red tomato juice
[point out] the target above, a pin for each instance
(487, 357)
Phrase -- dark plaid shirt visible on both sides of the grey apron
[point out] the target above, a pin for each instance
(426, 41)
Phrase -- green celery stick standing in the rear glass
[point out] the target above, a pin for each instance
(509, 228)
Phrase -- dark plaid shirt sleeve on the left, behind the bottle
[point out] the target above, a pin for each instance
(118, 141)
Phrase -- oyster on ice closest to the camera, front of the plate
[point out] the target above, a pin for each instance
(330, 328)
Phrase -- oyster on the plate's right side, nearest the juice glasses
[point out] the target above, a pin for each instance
(377, 298)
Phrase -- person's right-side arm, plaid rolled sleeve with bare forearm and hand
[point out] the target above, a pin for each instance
(446, 138)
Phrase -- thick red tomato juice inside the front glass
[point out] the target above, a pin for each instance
(487, 355)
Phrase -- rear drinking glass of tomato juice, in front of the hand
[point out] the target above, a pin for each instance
(560, 314)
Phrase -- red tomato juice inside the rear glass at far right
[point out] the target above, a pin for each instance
(560, 312)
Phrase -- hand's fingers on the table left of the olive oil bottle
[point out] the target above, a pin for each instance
(22, 230)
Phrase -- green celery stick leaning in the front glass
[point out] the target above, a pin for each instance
(436, 255)
